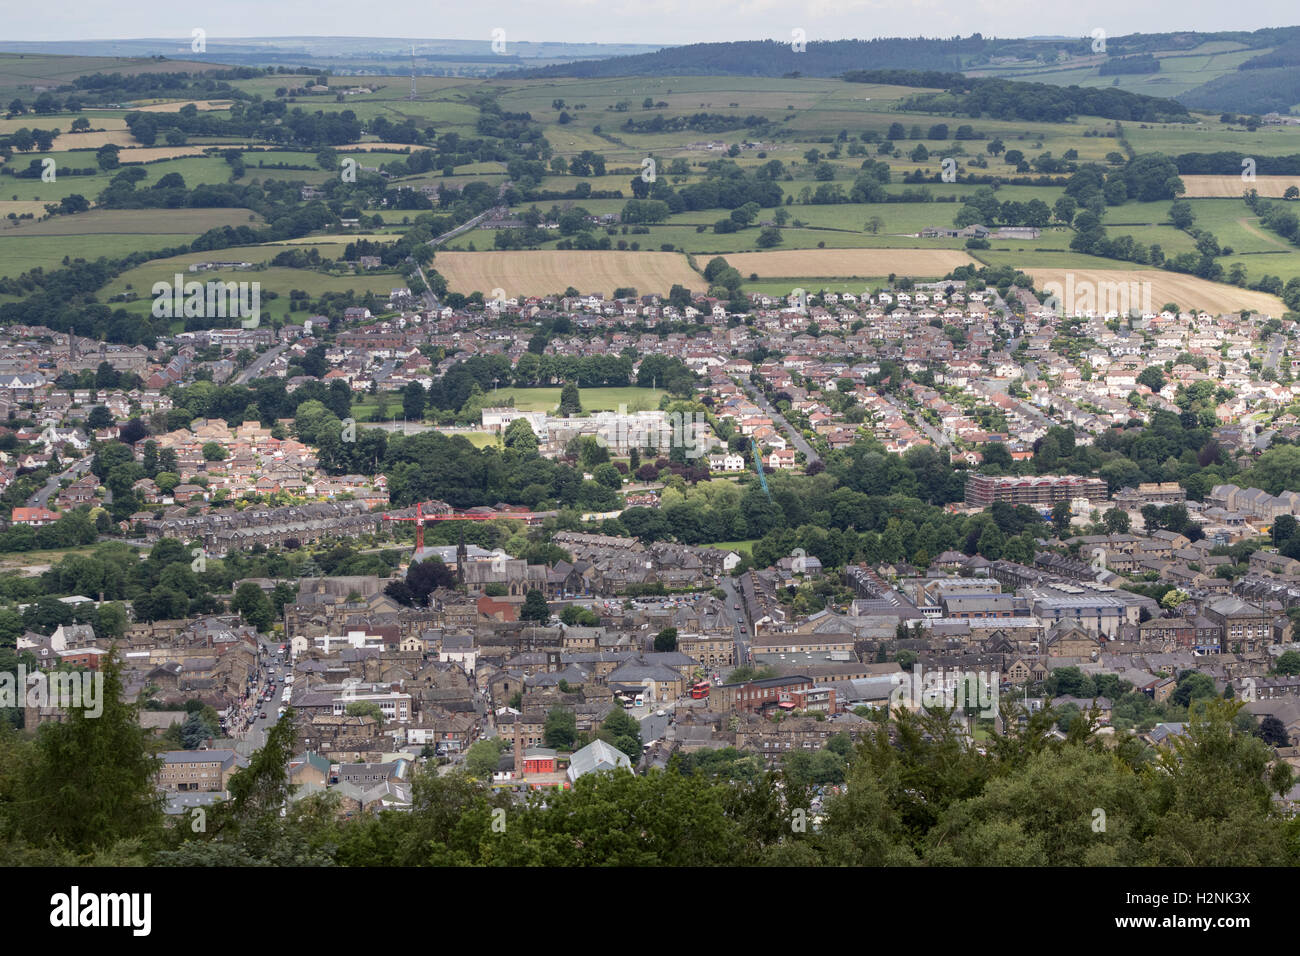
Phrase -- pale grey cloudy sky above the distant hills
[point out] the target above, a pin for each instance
(636, 21)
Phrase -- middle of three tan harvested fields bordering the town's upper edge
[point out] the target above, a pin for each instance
(848, 263)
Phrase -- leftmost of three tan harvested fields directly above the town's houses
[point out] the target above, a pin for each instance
(554, 271)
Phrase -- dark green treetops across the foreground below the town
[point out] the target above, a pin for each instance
(917, 795)
